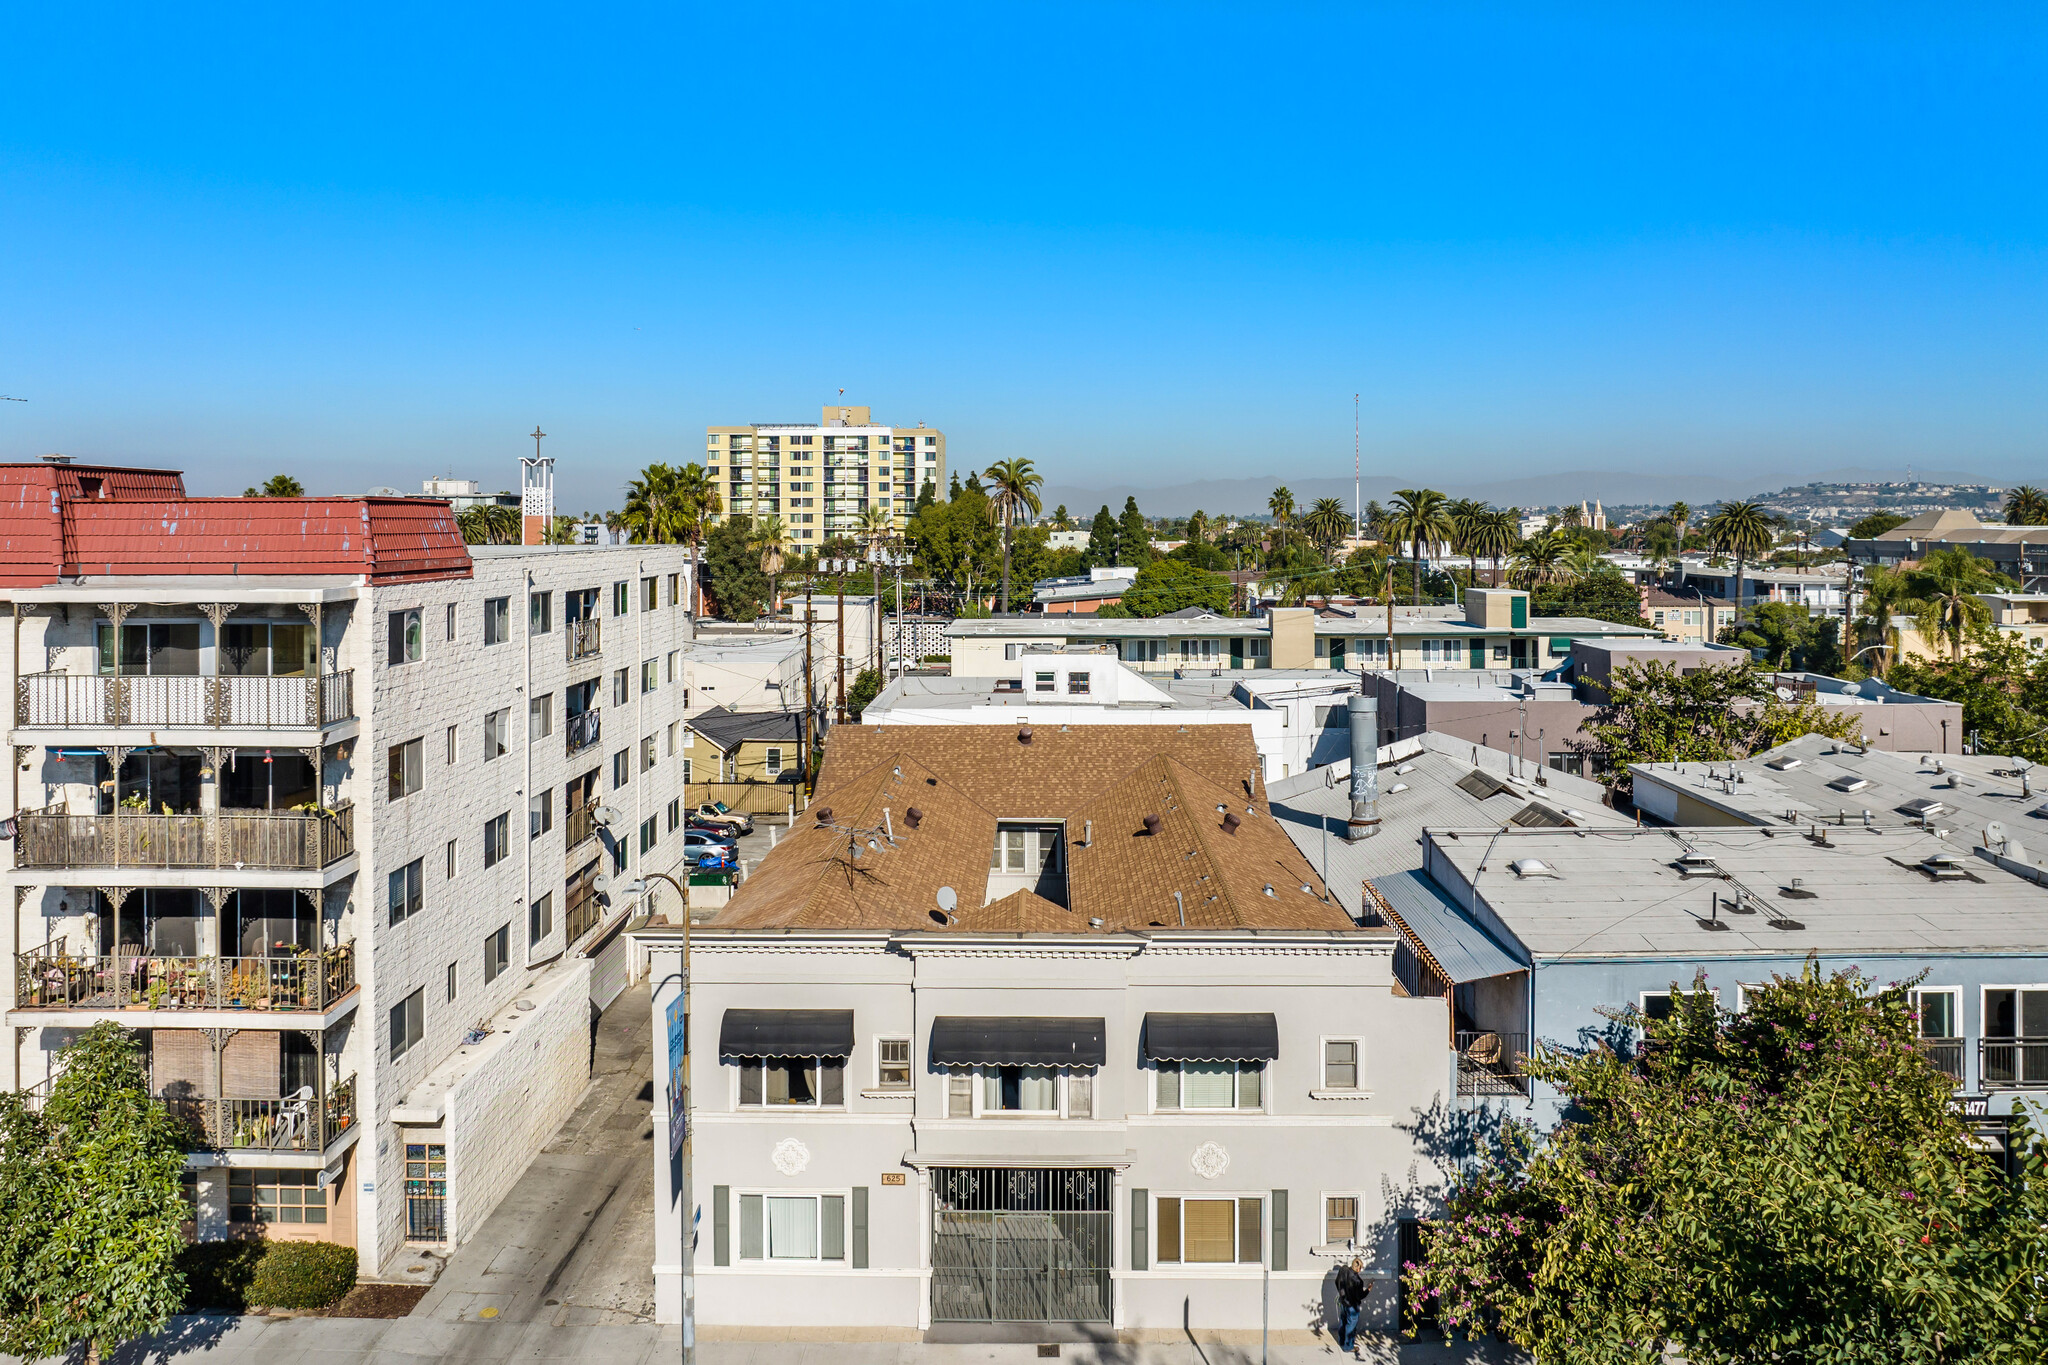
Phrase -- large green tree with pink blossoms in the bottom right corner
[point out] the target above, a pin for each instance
(1785, 1184)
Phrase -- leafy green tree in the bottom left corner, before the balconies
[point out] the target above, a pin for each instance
(89, 1206)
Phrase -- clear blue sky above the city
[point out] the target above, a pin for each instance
(1136, 243)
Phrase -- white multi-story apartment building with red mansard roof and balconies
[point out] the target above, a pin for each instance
(273, 760)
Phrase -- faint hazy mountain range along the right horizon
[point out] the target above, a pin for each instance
(1611, 486)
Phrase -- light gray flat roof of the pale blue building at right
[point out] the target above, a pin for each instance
(1621, 893)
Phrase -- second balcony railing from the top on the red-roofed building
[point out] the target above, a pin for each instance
(265, 840)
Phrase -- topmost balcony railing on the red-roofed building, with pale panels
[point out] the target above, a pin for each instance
(171, 703)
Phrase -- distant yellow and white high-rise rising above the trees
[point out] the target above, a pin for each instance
(822, 478)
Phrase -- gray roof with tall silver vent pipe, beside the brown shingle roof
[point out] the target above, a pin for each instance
(1316, 807)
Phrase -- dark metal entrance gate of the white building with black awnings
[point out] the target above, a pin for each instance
(1021, 1245)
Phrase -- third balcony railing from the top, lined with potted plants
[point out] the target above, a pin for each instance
(48, 977)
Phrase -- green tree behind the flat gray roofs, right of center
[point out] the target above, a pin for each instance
(1656, 713)
